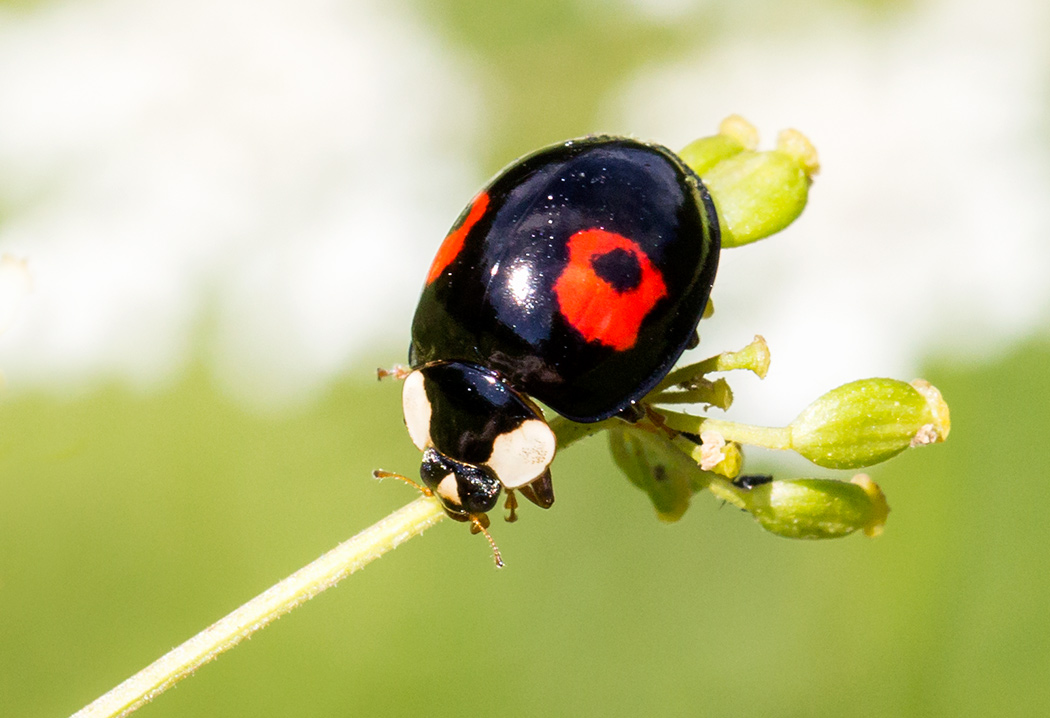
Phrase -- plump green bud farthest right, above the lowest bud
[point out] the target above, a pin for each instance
(870, 421)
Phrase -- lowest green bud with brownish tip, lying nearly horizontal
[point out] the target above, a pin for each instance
(818, 509)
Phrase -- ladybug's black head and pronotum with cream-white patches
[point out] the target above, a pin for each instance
(478, 436)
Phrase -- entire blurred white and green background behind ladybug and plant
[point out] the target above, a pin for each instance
(227, 207)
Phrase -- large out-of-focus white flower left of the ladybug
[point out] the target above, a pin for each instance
(279, 163)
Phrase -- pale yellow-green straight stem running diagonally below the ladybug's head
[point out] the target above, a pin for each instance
(278, 601)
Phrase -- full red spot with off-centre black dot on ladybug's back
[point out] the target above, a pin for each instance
(593, 305)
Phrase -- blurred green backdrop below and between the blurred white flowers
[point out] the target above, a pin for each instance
(130, 520)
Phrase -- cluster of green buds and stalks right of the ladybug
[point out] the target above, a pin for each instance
(671, 455)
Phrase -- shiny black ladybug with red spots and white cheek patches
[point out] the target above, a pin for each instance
(576, 279)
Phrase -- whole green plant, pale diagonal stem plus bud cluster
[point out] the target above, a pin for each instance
(670, 455)
